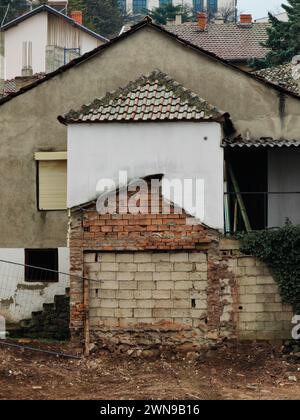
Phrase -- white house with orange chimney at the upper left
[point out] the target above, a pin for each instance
(43, 40)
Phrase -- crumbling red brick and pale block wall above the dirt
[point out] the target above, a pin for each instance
(157, 279)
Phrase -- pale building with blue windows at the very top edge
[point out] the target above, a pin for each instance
(139, 6)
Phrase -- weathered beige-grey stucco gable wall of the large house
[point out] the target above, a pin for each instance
(28, 122)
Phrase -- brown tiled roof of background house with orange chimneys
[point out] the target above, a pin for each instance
(228, 41)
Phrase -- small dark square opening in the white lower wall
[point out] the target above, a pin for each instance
(47, 259)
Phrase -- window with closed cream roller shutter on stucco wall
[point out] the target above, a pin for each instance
(52, 180)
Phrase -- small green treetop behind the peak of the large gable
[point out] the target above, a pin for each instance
(160, 15)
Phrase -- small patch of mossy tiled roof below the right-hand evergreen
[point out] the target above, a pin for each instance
(281, 76)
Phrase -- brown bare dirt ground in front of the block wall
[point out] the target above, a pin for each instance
(230, 371)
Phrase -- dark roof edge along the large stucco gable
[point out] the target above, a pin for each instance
(146, 22)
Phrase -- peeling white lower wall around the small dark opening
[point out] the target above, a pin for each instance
(18, 299)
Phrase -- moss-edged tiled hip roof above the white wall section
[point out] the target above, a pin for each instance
(149, 98)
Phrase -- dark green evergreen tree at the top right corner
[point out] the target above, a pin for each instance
(283, 38)
